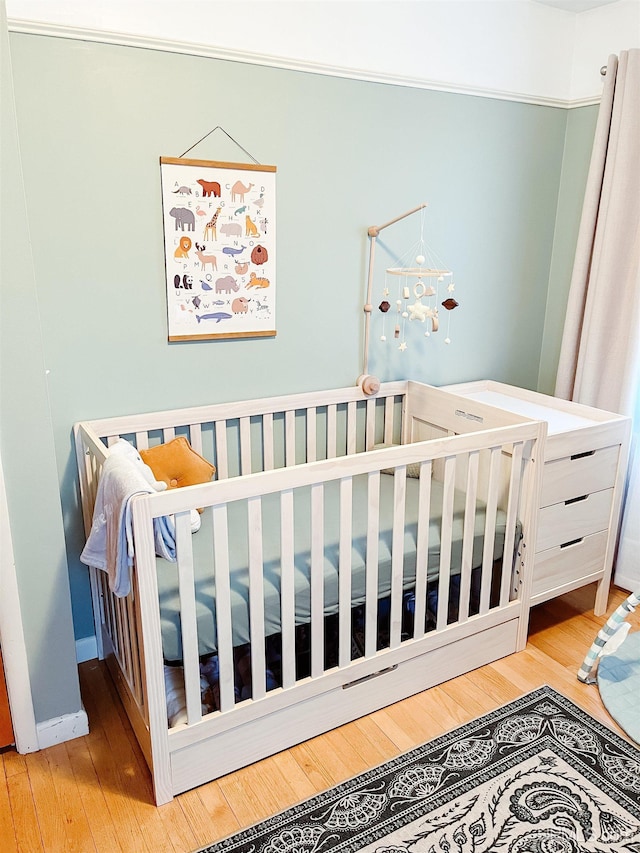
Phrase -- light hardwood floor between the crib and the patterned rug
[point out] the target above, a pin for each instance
(94, 793)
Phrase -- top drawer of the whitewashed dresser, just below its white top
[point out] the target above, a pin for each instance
(581, 474)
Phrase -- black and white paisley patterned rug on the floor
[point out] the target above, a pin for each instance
(538, 775)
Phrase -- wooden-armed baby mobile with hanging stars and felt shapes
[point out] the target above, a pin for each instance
(413, 292)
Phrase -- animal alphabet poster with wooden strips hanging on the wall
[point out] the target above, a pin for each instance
(220, 252)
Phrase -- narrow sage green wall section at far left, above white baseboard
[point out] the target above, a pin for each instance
(26, 442)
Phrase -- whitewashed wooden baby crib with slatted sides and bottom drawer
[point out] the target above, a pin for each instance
(377, 543)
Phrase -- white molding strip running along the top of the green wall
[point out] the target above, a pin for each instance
(38, 28)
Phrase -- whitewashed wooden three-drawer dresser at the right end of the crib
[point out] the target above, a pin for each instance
(582, 483)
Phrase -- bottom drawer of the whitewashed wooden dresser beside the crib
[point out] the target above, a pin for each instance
(565, 565)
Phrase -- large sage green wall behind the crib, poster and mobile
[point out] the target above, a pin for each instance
(94, 120)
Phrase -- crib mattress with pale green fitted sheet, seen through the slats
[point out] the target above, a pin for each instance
(238, 558)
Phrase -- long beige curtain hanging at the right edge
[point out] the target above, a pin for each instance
(600, 355)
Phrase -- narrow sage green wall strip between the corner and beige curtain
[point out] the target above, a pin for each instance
(581, 125)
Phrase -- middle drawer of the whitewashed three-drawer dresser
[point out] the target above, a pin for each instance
(563, 522)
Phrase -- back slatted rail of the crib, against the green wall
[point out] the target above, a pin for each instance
(261, 435)
